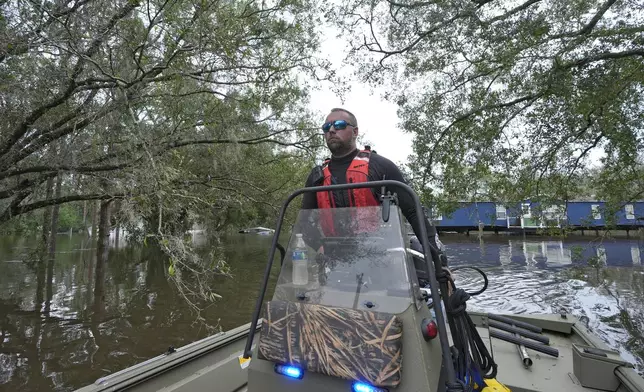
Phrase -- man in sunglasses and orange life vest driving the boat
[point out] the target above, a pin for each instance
(349, 164)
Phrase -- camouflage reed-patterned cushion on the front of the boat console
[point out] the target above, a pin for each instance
(338, 342)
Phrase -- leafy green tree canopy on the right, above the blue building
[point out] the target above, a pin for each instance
(509, 100)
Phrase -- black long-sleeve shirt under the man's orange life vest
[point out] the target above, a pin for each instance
(379, 168)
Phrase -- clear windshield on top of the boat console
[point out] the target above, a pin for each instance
(363, 265)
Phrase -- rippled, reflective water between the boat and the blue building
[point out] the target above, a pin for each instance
(553, 277)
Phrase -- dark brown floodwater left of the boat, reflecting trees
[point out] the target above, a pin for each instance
(67, 323)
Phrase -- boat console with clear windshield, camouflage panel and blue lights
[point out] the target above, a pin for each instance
(360, 322)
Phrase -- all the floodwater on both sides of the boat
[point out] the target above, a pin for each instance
(66, 323)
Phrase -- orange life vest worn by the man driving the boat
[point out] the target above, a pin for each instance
(362, 220)
